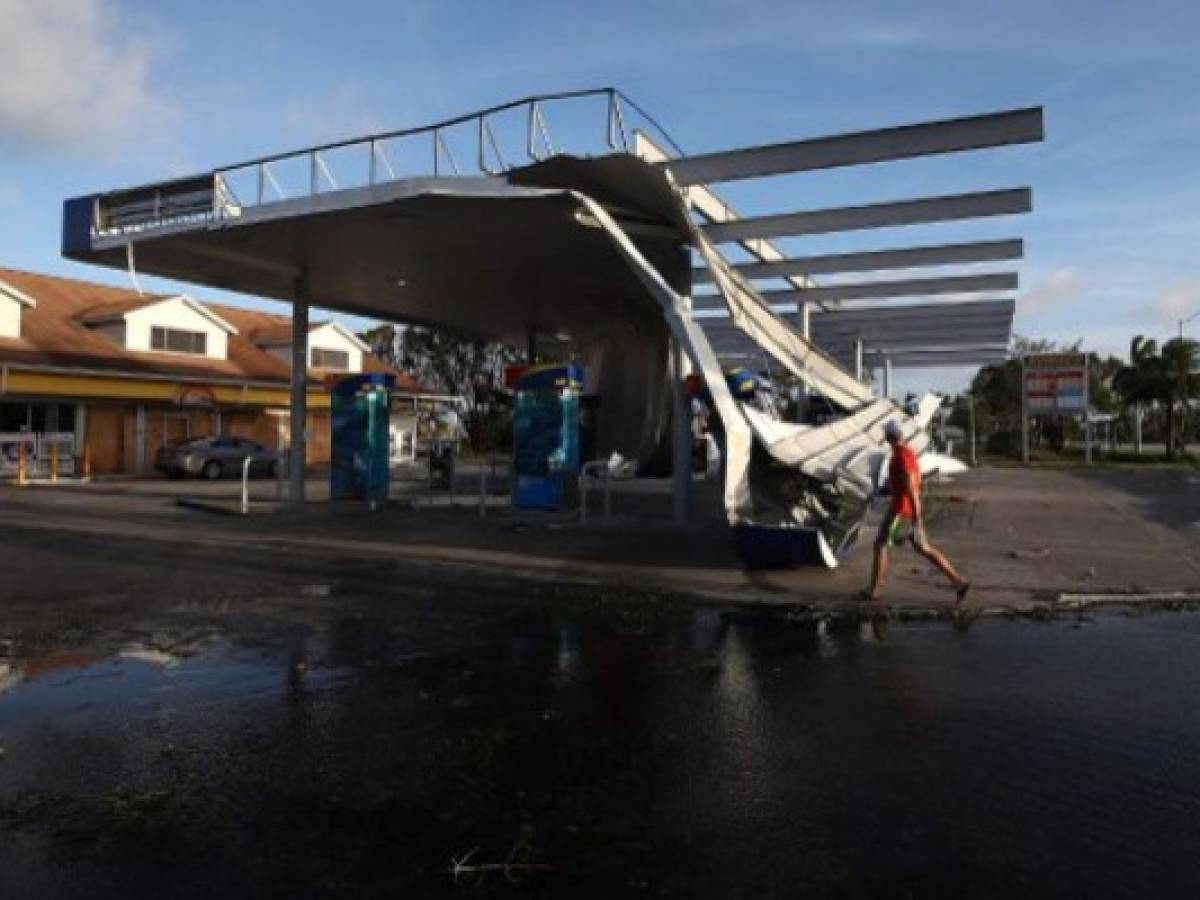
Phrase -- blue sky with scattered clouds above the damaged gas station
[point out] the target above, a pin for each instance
(100, 94)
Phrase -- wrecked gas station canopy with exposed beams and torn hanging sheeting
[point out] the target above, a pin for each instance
(598, 247)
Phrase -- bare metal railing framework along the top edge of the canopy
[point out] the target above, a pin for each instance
(485, 143)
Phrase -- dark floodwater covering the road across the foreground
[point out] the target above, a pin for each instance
(340, 743)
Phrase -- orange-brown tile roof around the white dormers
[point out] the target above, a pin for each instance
(55, 334)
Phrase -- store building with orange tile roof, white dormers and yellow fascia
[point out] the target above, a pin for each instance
(107, 376)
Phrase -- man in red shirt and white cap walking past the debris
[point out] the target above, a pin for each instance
(904, 475)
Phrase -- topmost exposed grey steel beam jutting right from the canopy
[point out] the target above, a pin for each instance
(904, 142)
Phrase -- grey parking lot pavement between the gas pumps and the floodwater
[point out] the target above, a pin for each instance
(1023, 536)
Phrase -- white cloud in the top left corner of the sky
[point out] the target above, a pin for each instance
(75, 79)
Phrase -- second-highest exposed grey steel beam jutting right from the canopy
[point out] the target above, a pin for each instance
(878, 215)
